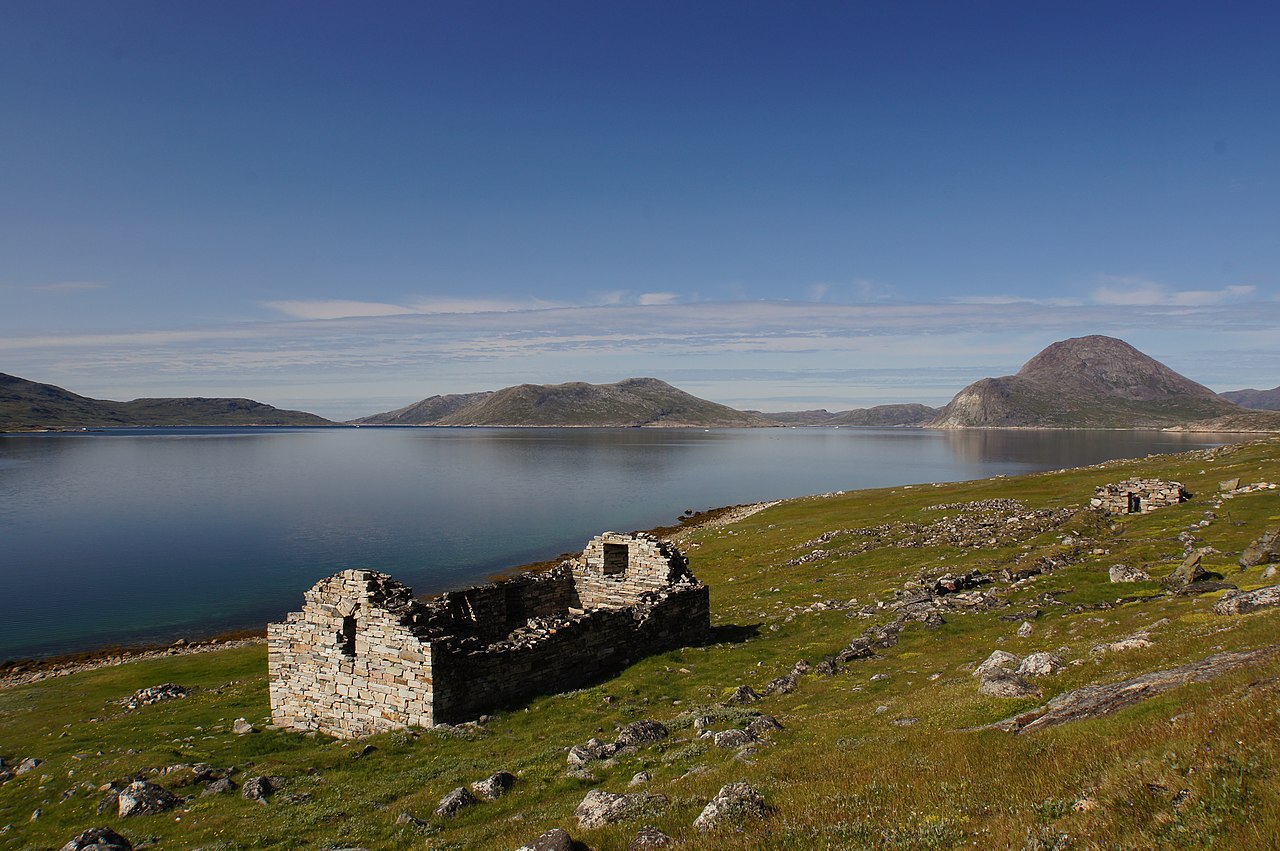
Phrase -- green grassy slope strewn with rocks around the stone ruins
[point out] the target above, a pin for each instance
(840, 775)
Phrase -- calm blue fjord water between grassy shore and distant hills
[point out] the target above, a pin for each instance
(147, 536)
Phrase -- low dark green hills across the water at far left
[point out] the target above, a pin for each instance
(30, 406)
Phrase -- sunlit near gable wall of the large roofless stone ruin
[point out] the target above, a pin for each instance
(350, 665)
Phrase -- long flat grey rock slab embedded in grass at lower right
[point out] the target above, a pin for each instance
(1092, 702)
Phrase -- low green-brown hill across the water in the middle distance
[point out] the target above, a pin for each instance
(633, 402)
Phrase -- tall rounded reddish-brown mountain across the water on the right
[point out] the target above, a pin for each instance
(1087, 382)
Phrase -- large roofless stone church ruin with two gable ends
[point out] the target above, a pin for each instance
(365, 656)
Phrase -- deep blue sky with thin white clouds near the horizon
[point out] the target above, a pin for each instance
(778, 205)
